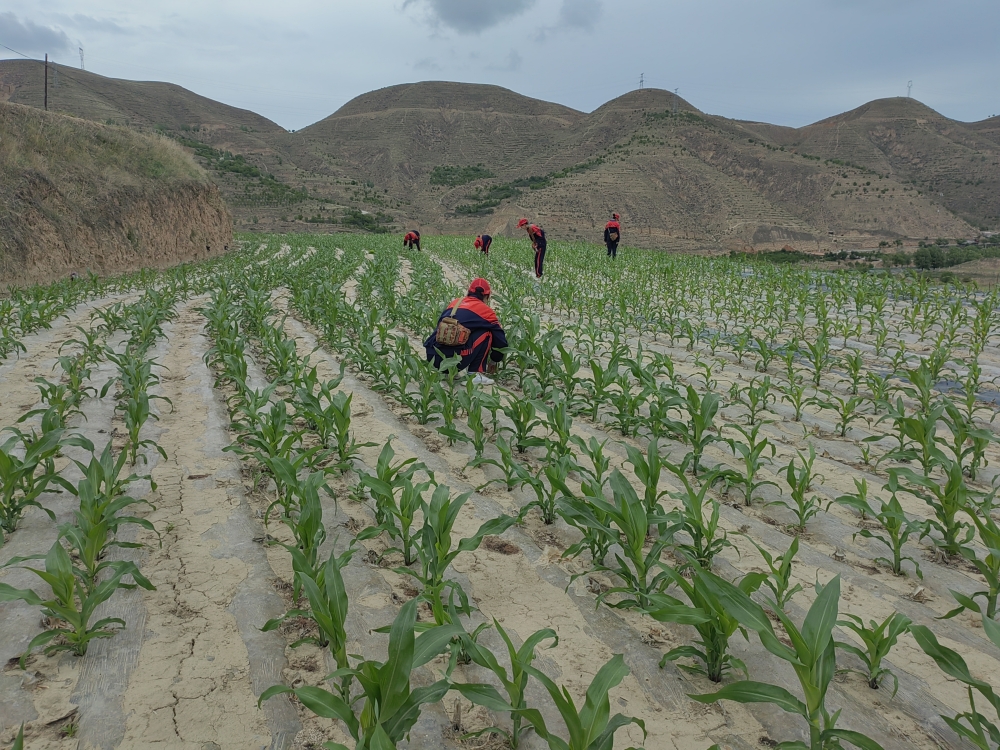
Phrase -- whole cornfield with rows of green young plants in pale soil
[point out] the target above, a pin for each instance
(687, 472)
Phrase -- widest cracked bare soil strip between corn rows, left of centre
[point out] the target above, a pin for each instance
(203, 662)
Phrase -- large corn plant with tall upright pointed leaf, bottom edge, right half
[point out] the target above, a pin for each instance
(811, 655)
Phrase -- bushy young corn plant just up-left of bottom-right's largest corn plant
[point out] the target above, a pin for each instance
(707, 613)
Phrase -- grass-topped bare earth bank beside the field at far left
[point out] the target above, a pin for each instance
(78, 196)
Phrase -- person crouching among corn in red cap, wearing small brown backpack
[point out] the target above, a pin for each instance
(468, 328)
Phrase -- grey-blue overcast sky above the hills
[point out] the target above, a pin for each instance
(789, 62)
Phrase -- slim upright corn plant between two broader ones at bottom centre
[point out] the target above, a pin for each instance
(514, 683)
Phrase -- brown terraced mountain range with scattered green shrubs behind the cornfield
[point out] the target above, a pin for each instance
(461, 158)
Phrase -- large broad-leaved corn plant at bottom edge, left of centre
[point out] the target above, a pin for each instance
(390, 706)
